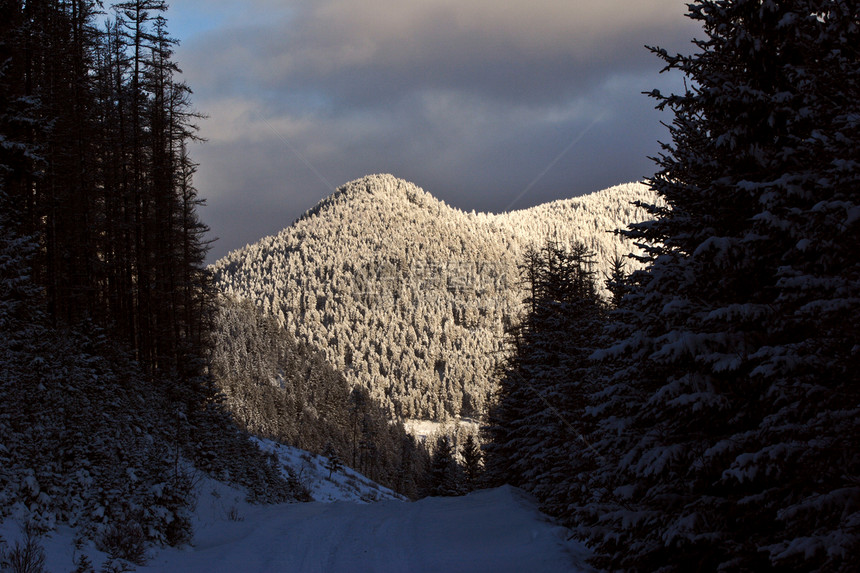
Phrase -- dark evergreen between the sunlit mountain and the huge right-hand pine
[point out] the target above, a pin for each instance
(537, 422)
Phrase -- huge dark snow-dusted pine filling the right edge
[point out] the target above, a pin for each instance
(736, 443)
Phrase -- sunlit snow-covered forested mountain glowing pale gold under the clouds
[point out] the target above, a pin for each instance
(409, 296)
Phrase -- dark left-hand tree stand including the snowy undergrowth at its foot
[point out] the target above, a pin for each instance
(103, 297)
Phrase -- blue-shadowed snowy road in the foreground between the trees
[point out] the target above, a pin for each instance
(495, 530)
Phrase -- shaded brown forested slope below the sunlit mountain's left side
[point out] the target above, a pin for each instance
(277, 387)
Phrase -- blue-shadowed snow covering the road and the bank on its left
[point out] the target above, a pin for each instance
(495, 530)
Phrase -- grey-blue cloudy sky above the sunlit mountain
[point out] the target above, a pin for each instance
(488, 105)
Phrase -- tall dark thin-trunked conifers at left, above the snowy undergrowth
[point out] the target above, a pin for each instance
(94, 128)
